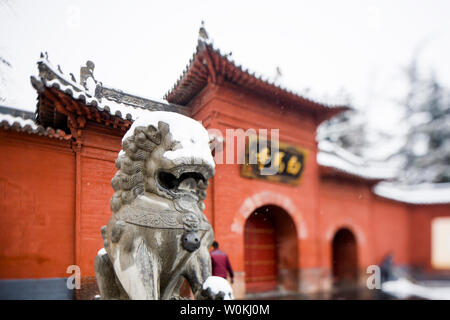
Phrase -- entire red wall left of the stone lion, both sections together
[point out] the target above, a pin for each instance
(60, 199)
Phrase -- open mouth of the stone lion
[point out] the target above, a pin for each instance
(183, 181)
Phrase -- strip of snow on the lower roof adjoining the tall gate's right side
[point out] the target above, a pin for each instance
(333, 156)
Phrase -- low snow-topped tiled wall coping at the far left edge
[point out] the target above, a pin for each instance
(20, 124)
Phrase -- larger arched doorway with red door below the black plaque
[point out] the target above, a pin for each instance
(271, 251)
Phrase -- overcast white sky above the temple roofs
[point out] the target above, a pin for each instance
(143, 46)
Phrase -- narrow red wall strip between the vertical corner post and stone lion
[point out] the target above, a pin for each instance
(98, 154)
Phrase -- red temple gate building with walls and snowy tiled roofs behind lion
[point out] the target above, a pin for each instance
(321, 220)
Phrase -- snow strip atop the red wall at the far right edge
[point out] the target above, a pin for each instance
(425, 193)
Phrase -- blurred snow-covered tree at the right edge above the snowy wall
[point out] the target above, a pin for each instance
(426, 153)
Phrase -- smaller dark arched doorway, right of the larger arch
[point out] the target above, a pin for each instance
(345, 258)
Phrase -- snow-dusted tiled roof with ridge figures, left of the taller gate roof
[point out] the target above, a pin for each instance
(111, 107)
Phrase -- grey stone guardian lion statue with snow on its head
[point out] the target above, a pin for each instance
(158, 235)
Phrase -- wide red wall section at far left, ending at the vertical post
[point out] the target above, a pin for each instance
(37, 190)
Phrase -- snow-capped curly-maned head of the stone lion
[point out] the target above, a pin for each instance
(165, 154)
